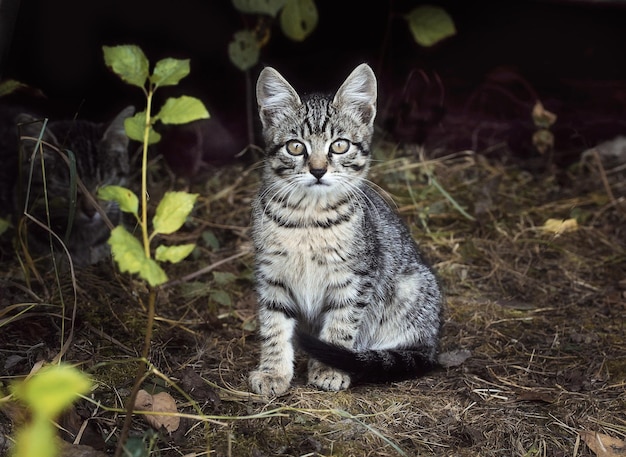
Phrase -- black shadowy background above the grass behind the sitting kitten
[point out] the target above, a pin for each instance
(573, 52)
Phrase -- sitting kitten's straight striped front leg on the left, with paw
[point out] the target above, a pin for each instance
(275, 370)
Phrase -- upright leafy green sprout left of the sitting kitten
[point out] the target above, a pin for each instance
(132, 256)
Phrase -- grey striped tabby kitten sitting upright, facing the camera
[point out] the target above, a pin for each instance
(335, 266)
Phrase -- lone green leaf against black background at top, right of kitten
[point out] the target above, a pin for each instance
(430, 24)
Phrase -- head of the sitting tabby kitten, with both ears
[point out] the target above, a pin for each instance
(317, 143)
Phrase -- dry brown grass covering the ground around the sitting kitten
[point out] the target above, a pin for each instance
(541, 312)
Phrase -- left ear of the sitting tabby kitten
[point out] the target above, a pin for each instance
(275, 96)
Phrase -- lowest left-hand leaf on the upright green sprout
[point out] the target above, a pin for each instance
(131, 258)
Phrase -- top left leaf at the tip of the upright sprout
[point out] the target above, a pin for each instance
(128, 62)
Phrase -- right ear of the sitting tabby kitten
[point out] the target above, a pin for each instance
(358, 92)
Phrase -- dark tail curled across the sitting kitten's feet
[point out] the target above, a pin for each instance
(371, 365)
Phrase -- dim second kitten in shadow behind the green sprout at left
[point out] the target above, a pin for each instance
(101, 152)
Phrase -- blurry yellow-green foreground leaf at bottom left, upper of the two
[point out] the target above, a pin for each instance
(53, 389)
